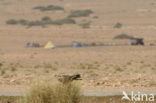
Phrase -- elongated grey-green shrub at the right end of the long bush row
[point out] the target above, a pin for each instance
(64, 21)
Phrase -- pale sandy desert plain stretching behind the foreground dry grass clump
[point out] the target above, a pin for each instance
(108, 68)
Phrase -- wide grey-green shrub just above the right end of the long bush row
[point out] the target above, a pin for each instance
(80, 13)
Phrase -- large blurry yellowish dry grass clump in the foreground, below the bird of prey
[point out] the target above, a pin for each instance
(47, 93)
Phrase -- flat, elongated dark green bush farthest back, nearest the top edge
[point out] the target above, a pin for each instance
(48, 8)
